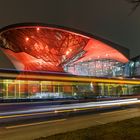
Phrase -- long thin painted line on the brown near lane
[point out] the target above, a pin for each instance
(32, 124)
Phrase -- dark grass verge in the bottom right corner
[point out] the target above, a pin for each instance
(122, 130)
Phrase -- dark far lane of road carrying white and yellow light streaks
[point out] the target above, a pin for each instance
(14, 114)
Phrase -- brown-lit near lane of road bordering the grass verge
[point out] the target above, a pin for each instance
(31, 131)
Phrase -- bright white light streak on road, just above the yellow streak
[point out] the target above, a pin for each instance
(76, 106)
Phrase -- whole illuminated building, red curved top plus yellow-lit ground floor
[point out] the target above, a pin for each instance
(33, 50)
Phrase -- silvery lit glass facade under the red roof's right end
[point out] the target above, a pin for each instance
(98, 68)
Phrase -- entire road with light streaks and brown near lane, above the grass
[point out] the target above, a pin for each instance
(31, 125)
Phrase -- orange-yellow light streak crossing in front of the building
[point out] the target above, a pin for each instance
(70, 78)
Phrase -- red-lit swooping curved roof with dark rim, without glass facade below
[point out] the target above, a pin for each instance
(33, 46)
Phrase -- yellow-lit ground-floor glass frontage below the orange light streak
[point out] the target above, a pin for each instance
(27, 89)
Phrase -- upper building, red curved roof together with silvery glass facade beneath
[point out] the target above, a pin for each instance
(36, 47)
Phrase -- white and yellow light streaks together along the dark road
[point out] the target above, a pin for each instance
(67, 108)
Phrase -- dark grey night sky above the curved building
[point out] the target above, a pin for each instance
(106, 18)
